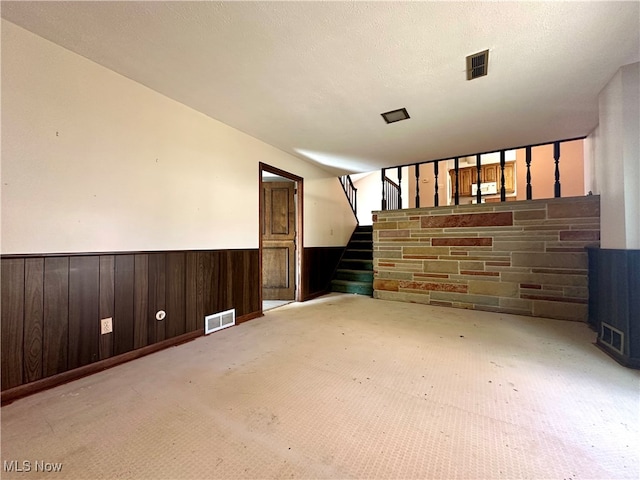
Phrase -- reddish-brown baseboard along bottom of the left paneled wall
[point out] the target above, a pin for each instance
(13, 394)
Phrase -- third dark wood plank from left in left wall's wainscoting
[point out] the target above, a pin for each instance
(55, 344)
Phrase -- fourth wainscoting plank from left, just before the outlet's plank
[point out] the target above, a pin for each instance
(84, 295)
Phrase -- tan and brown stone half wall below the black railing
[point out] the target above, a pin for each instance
(524, 257)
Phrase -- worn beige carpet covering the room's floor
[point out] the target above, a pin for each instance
(346, 387)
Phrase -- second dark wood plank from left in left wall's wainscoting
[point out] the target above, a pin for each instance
(33, 318)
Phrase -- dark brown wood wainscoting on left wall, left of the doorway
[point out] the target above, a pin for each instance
(52, 304)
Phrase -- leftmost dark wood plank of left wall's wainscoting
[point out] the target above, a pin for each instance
(12, 322)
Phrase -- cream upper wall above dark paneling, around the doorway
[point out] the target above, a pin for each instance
(92, 161)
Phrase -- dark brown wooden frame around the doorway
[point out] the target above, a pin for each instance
(299, 201)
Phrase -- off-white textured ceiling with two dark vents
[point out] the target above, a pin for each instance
(312, 78)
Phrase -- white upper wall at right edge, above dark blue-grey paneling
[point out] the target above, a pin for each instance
(617, 156)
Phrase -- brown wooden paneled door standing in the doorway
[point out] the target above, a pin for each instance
(278, 241)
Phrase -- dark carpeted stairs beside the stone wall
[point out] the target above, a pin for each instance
(355, 271)
